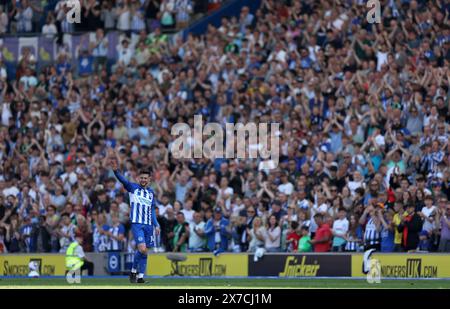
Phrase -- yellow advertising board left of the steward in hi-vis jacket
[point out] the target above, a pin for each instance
(17, 265)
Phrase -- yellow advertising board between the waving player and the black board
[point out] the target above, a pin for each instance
(197, 265)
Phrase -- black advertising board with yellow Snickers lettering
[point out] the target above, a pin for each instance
(301, 265)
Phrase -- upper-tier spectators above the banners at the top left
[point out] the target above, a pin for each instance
(49, 16)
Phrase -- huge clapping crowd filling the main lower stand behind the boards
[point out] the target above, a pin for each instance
(364, 137)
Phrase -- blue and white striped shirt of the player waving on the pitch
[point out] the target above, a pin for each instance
(142, 202)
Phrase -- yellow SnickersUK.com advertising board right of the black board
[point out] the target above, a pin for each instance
(406, 265)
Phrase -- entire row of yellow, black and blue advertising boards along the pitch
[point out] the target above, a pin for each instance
(411, 265)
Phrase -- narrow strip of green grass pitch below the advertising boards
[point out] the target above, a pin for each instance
(184, 283)
